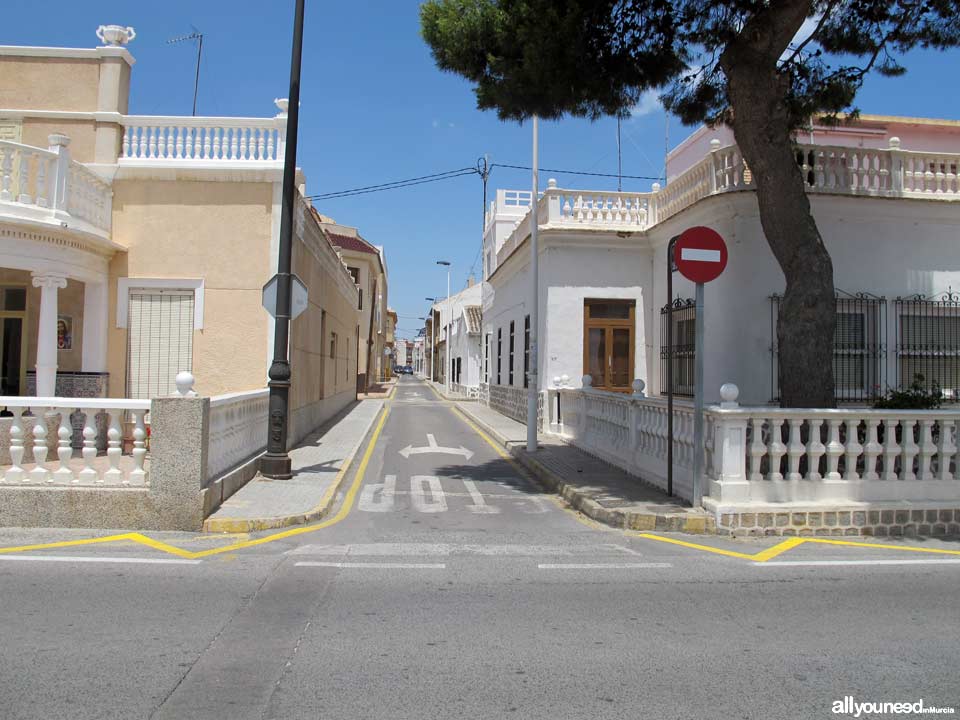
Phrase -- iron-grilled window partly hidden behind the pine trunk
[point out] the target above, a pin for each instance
(859, 346)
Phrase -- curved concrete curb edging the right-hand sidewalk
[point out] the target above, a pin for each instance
(690, 522)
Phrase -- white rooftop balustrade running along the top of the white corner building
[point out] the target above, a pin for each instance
(888, 172)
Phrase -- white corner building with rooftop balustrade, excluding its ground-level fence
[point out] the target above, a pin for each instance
(883, 194)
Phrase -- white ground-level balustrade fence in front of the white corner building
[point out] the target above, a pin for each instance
(770, 455)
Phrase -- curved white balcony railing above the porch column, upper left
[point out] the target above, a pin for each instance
(46, 185)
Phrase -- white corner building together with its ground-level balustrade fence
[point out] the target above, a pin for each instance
(884, 194)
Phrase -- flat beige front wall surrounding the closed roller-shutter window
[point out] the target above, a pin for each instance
(215, 231)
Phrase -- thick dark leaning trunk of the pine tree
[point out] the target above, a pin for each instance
(762, 127)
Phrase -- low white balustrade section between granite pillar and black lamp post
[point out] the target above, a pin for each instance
(238, 429)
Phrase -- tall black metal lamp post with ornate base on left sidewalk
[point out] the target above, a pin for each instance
(276, 463)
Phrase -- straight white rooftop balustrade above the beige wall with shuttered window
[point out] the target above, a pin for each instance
(205, 139)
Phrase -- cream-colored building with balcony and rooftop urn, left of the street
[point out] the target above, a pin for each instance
(135, 247)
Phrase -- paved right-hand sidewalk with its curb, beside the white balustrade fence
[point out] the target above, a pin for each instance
(597, 489)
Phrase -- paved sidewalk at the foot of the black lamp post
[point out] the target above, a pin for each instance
(319, 466)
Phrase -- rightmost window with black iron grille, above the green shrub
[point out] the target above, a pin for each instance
(928, 343)
